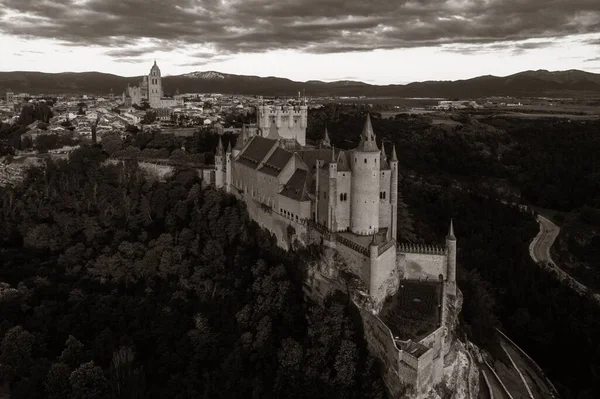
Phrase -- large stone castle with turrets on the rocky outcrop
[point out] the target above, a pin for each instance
(347, 200)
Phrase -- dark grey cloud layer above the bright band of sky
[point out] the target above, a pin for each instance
(314, 26)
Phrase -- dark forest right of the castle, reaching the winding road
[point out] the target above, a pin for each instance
(464, 171)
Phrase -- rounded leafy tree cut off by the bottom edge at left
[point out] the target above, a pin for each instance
(88, 382)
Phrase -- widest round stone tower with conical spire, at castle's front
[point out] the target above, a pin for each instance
(364, 211)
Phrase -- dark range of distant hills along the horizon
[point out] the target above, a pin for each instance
(572, 83)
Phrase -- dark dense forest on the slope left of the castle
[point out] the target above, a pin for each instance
(114, 286)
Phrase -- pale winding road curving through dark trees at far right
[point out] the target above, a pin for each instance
(539, 249)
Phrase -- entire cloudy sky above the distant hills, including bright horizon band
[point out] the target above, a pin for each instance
(376, 41)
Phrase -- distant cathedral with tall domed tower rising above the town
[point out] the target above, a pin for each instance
(150, 90)
